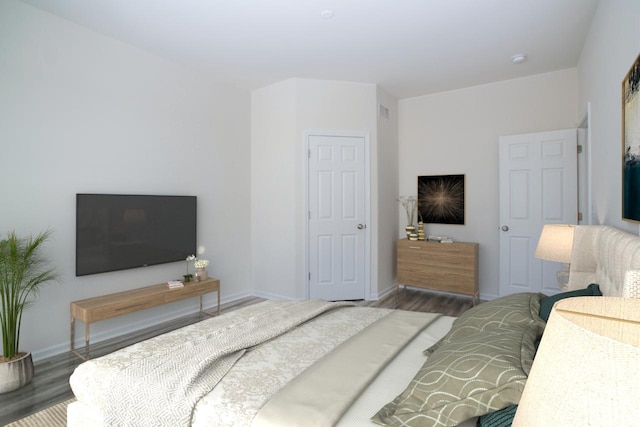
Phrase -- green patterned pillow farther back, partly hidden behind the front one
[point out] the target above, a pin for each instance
(508, 311)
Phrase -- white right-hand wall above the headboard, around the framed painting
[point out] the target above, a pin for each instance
(612, 45)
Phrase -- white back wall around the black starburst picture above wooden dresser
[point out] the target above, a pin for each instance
(457, 132)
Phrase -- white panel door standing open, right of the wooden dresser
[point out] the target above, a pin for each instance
(538, 185)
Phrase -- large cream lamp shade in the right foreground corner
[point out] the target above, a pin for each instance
(587, 369)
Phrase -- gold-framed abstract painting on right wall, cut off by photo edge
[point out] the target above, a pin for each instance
(631, 144)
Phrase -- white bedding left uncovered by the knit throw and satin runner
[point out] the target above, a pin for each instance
(262, 371)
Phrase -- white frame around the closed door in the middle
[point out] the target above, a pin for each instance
(367, 198)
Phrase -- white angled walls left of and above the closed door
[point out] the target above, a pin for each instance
(281, 114)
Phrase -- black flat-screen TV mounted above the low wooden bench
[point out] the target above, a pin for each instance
(118, 232)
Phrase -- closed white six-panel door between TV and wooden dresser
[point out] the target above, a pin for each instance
(337, 229)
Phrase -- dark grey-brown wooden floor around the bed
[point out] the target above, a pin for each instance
(50, 384)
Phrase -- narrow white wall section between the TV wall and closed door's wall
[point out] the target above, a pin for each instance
(273, 205)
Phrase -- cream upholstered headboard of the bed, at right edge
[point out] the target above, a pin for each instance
(602, 255)
